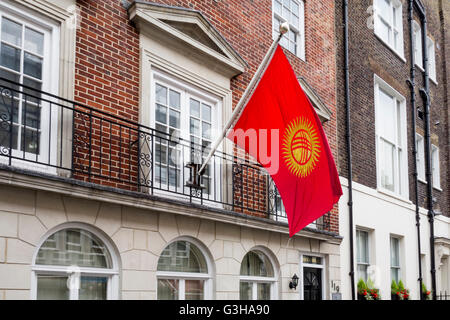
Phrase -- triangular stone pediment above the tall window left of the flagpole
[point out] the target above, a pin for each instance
(190, 29)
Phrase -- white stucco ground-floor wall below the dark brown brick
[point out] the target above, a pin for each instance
(384, 216)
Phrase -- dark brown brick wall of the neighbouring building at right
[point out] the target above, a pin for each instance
(369, 56)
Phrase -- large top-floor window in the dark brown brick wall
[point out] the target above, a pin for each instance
(388, 23)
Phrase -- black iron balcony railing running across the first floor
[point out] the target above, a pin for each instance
(46, 133)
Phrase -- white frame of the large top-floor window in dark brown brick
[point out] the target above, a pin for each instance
(379, 19)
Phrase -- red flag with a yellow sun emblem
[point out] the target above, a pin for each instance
(306, 179)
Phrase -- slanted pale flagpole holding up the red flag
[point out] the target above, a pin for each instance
(284, 28)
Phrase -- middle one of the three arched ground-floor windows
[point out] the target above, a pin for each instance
(183, 273)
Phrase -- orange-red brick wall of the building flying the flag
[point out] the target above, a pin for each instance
(107, 59)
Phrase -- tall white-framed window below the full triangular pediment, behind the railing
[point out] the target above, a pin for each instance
(181, 111)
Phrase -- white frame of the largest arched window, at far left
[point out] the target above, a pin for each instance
(112, 273)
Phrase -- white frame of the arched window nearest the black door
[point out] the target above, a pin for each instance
(273, 281)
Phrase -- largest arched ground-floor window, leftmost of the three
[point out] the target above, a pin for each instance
(75, 264)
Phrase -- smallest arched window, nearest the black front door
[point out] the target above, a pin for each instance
(257, 280)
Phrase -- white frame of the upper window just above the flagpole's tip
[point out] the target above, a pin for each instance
(299, 31)
